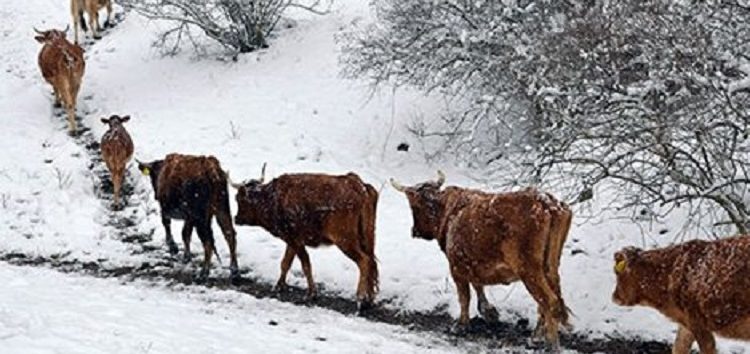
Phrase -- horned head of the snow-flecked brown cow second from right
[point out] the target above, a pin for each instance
(424, 200)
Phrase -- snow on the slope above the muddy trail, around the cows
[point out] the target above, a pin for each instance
(289, 108)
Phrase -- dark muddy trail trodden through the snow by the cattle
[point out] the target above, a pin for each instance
(158, 266)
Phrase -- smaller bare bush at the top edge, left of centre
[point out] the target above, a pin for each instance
(240, 25)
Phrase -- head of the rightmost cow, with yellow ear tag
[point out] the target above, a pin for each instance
(627, 291)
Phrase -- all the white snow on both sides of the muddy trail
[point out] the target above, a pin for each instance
(290, 108)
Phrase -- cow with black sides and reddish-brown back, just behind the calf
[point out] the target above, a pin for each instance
(193, 189)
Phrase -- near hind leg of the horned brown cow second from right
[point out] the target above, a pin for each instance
(550, 306)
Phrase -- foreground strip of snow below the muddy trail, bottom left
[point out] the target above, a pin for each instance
(43, 311)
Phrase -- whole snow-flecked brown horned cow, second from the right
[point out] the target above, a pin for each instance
(499, 238)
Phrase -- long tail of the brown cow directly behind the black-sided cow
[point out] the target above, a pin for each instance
(367, 236)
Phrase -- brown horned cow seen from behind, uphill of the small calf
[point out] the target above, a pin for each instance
(62, 66)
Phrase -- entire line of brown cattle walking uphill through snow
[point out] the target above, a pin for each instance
(488, 238)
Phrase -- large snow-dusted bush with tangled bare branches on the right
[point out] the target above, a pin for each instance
(651, 96)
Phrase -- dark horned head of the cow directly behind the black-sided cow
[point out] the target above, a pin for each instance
(250, 200)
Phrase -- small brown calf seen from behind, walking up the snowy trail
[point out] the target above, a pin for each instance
(117, 149)
